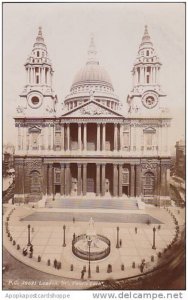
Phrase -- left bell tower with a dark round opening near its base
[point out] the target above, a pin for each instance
(37, 98)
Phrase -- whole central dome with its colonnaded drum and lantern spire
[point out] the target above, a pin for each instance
(92, 79)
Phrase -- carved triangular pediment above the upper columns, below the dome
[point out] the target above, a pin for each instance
(92, 109)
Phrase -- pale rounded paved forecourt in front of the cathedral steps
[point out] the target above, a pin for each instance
(47, 240)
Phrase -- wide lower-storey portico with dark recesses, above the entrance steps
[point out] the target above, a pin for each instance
(86, 178)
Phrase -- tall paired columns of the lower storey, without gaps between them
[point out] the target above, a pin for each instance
(101, 174)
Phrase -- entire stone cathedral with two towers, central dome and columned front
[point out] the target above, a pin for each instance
(93, 147)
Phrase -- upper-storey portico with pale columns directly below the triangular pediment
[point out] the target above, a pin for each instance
(90, 136)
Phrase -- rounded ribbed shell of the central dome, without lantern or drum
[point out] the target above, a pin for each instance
(92, 74)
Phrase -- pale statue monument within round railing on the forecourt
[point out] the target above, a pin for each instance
(99, 245)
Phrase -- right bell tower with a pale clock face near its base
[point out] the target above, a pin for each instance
(146, 93)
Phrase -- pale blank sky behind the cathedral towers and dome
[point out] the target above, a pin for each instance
(118, 29)
